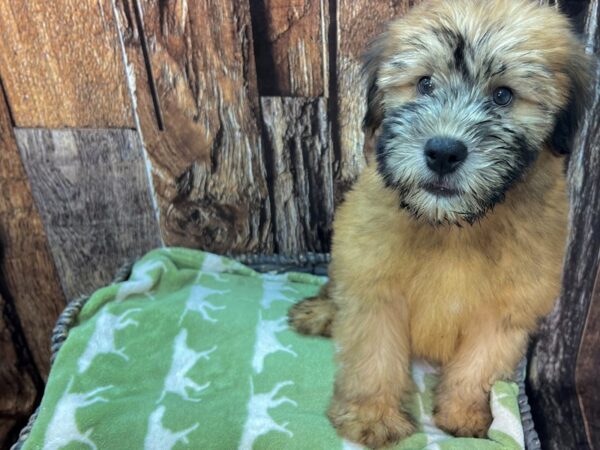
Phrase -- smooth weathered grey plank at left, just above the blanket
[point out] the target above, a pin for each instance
(92, 190)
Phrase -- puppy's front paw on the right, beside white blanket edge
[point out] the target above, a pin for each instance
(463, 418)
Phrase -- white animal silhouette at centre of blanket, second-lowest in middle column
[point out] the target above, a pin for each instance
(184, 358)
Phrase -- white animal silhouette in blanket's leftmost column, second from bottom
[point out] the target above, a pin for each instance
(102, 340)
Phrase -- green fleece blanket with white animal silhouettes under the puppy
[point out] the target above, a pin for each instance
(193, 352)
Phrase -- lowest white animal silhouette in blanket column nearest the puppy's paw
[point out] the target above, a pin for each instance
(259, 422)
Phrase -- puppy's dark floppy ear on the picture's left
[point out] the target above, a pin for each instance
(371, 62)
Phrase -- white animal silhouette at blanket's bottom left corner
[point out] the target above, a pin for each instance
(63, 428)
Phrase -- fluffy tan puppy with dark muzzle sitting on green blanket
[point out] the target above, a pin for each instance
(450, 246)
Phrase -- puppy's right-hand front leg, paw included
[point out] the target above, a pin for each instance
(490, 351)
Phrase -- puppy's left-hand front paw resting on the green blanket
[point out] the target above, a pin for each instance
(373, 424)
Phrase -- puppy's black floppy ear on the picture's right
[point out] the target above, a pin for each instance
(569, 117)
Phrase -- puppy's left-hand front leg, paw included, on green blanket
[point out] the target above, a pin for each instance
(374, 372)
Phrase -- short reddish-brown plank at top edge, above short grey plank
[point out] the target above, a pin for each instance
(290, 38)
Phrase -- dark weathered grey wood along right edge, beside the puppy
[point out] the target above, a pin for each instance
(556, 392)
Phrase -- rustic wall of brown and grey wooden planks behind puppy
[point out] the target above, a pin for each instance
(225, 125)
